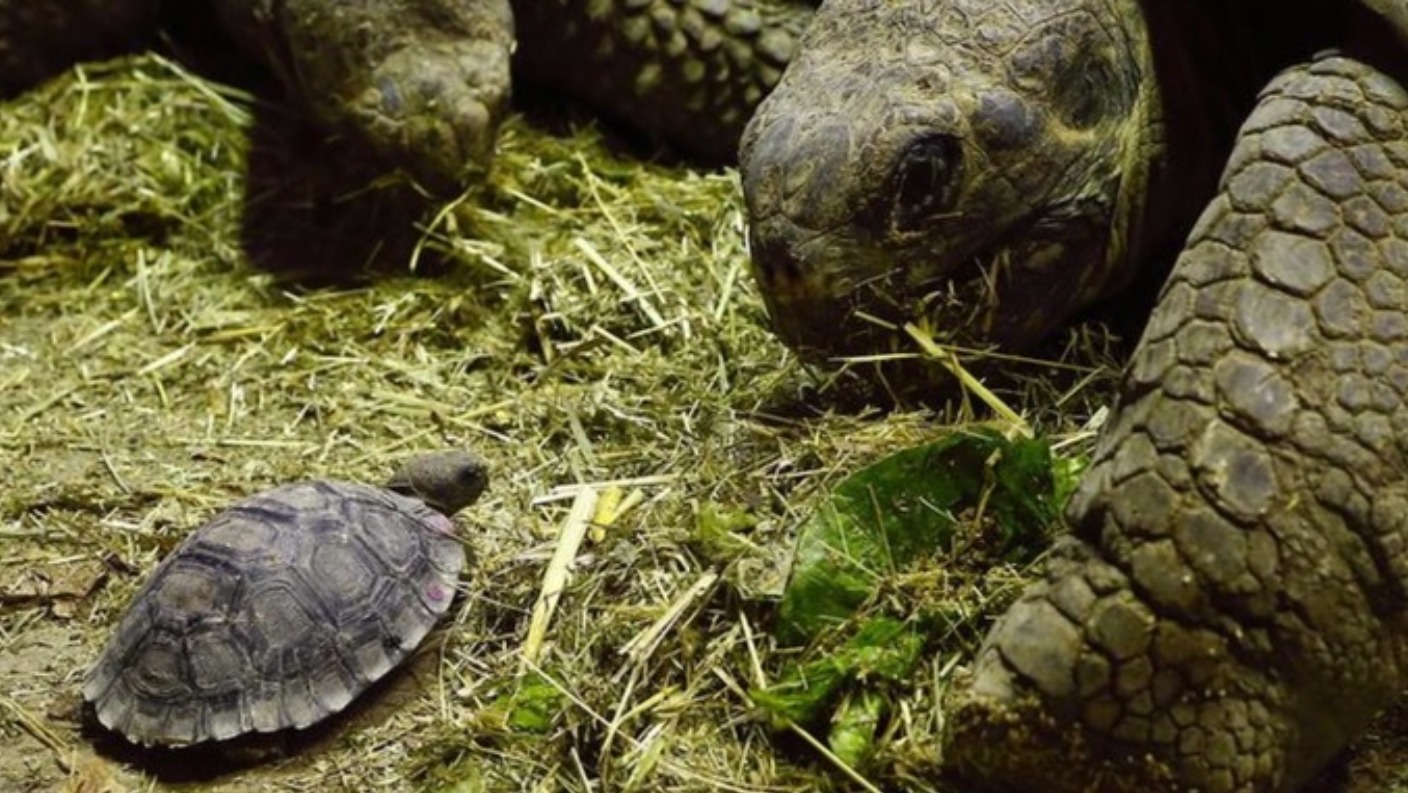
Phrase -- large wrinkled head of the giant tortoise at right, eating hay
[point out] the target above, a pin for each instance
(972, 167)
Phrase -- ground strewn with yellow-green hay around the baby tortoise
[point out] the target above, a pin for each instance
(181, 325)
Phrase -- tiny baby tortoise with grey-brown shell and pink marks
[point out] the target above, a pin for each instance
(284, 608)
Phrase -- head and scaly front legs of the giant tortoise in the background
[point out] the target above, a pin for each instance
(425, 84)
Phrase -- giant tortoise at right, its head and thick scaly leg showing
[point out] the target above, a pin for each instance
(1231, 606)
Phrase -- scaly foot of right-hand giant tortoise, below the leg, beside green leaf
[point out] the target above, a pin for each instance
(1082, 687)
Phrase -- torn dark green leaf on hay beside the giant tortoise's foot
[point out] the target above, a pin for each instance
(878, 525)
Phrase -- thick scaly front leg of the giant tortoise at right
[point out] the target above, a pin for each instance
(1231, 609)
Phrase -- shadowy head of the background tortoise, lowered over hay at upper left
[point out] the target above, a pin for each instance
(423, 82)
